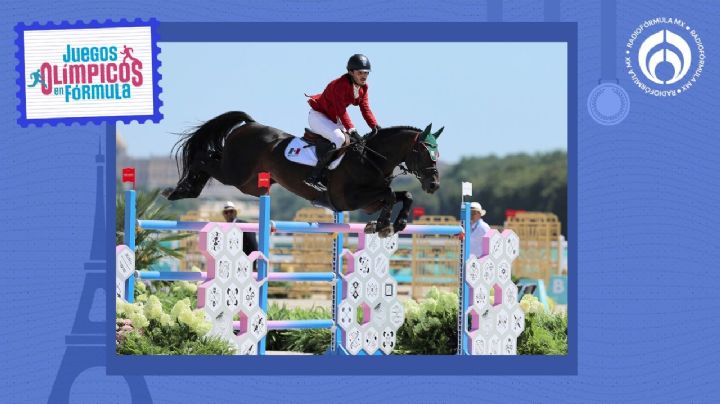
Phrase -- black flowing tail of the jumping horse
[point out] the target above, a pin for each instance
(207, 139)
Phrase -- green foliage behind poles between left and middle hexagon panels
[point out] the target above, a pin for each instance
(315, 341)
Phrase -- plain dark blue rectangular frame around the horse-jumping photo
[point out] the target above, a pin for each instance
(376, 365)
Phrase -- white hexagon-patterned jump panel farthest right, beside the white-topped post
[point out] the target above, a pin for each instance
(497, 320)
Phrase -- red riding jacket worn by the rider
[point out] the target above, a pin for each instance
(337, 96)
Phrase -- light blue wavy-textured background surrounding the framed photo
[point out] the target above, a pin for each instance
(647, 199)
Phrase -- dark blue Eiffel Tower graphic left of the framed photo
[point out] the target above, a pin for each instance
(86, 345)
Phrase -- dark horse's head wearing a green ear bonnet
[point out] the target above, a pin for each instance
(422, 161)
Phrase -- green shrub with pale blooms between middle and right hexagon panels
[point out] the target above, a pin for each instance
(431, 326)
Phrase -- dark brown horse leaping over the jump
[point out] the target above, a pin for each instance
(233, 148)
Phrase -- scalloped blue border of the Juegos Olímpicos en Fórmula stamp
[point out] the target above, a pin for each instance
(20, 68)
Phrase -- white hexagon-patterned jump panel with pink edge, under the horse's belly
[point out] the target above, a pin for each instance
(231, 293)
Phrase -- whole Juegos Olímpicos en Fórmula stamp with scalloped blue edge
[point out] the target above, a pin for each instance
(96, 72)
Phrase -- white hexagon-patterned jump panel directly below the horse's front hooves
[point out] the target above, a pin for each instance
(371, 291)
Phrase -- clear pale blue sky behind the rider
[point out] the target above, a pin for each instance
(492, 98)
